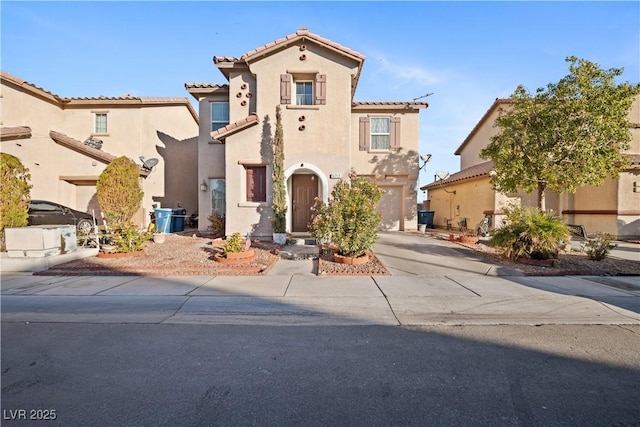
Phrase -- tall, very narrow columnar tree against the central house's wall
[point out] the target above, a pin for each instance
(279, 221)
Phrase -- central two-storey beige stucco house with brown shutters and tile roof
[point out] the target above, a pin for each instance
(326, 135)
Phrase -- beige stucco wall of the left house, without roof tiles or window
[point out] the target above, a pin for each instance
(165, 132)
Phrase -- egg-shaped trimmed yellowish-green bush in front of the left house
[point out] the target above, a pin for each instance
(118, 191)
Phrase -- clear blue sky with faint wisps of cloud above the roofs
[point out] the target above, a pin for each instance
(465, 53)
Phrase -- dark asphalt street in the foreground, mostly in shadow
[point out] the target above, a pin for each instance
(206, 375)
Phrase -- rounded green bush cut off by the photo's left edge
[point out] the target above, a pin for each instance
(14, 193)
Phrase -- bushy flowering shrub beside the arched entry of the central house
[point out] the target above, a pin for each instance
(350, 220)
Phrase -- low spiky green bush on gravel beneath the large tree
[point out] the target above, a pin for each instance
(530, 233)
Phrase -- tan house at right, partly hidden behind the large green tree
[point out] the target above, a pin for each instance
(613, 207)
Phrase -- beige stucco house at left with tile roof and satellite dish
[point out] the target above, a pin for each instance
(67, 142)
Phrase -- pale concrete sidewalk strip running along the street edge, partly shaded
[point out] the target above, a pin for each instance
(455, 299)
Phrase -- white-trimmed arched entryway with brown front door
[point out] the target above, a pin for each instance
(305, 183)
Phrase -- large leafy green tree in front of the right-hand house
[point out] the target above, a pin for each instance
(569, 134)
